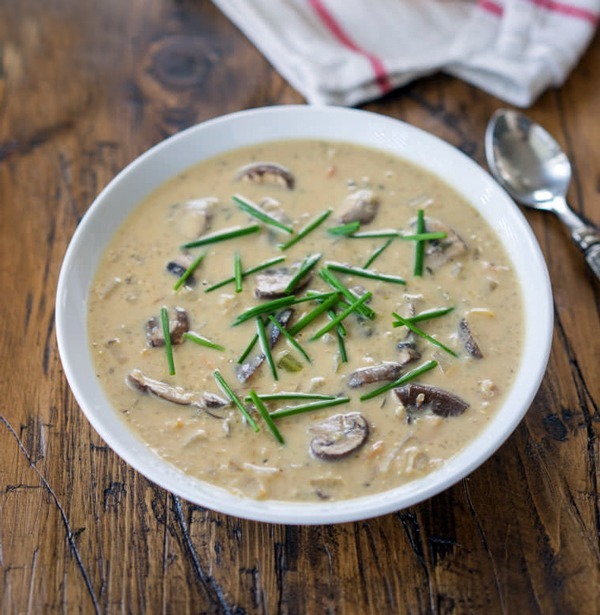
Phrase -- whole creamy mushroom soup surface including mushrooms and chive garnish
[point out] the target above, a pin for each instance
(305, 320)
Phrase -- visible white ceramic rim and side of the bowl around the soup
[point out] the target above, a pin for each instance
(183, 150)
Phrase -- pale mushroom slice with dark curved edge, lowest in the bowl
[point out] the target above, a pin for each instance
(338, 436)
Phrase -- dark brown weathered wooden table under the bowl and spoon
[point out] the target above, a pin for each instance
(84, 88)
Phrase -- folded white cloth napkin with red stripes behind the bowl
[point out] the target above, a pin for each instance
(346, 52)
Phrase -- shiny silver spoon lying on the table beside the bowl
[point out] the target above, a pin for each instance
(530, 165)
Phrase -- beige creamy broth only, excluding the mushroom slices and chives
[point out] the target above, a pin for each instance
(218, 446)
